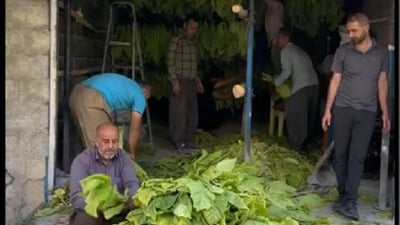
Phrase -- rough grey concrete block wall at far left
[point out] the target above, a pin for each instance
(27, 102)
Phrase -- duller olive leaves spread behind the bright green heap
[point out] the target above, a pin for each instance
(273, 161)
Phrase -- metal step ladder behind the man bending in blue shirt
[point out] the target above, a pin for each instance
(135, 66)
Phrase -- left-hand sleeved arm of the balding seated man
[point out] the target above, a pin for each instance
(78, 172)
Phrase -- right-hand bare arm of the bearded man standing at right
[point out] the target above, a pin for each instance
(383, 100)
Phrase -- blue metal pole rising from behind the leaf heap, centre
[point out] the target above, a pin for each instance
(249, 85)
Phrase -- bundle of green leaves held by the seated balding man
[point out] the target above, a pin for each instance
(101, 196)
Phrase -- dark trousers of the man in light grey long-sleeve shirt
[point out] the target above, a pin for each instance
(302, 111)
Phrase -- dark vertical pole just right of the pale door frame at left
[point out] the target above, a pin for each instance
(67, 76)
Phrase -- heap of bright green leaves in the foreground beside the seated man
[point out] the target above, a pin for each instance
(218, 192)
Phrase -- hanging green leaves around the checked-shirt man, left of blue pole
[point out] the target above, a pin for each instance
(221, 37)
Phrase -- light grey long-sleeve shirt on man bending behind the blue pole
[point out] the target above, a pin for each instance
(296, 65)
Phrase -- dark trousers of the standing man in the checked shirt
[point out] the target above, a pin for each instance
(183, 113)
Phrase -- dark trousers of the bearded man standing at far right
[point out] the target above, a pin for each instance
(352, 135)
